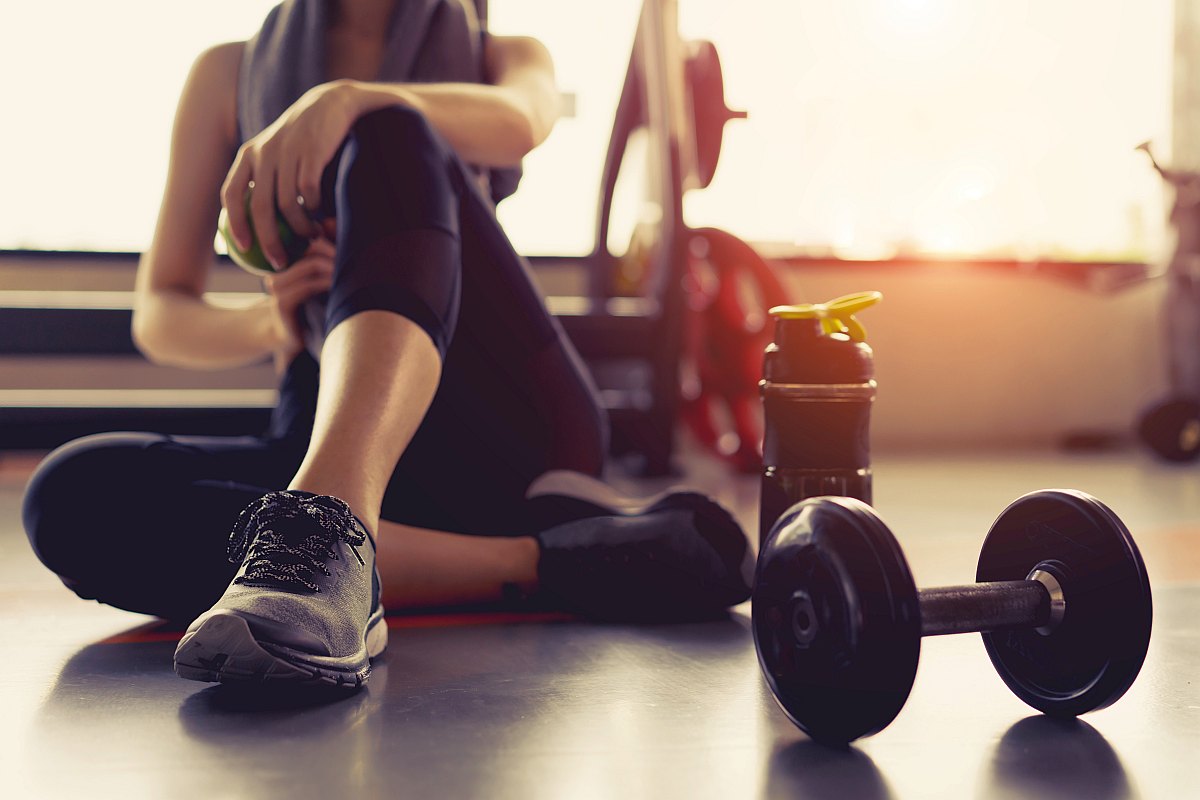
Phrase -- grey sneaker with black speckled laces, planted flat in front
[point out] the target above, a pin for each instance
(304, 607)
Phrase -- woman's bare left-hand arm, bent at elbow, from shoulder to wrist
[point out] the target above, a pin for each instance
(173, 323)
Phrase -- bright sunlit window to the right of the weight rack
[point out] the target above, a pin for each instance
(987, 128)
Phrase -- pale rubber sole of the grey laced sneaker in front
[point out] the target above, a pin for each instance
(223, 649)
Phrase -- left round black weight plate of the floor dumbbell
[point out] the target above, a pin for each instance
(836, 619)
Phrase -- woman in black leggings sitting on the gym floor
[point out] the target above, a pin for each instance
(429, 405)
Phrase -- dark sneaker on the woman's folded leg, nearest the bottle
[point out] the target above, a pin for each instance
(680, 558)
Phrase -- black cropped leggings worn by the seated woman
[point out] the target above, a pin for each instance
(140, 520)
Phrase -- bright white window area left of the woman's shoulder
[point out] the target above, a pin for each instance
(89, 95)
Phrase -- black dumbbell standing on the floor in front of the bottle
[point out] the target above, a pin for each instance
(1063, 600)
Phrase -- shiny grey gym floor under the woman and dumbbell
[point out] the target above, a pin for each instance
(493, 707)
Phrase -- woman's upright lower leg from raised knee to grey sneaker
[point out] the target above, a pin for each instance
(305, 604)
